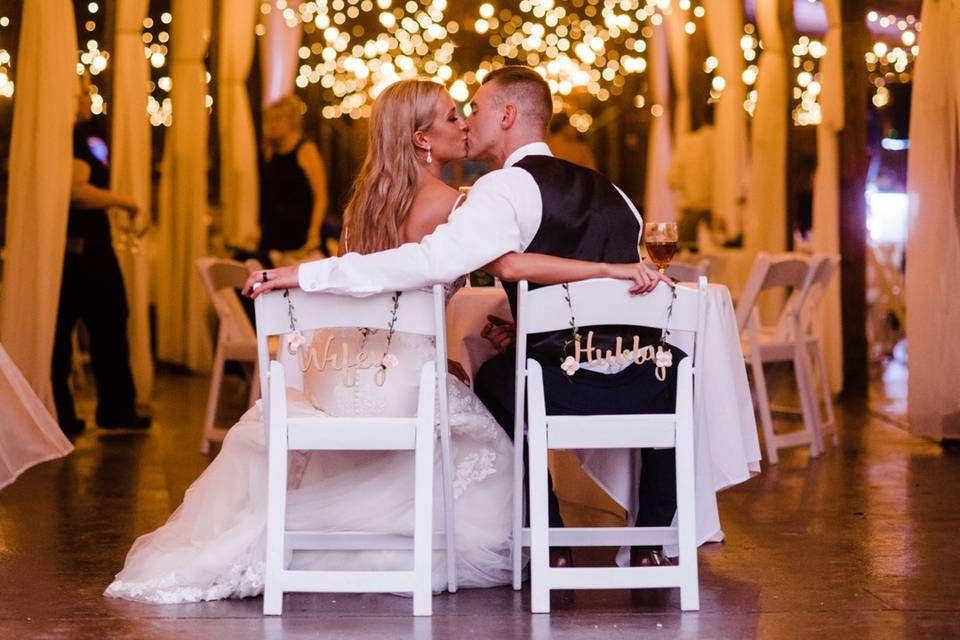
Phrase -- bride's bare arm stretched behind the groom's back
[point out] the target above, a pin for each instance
(544, 269)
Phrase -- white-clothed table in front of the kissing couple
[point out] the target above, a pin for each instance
(727, 450)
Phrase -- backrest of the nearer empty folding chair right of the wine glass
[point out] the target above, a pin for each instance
(786, 271)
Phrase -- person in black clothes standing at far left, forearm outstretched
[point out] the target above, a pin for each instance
(92, 286)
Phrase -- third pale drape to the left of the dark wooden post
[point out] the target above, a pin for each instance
(724, 21)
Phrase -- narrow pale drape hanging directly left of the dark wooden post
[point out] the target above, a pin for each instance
(826, 189)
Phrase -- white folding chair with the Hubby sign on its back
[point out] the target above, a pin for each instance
(605, 302)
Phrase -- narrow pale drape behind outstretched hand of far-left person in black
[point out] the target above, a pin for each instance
(130, 175)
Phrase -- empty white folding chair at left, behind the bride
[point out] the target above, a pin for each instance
(236, 339)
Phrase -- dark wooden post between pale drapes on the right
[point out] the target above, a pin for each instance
(854, 160)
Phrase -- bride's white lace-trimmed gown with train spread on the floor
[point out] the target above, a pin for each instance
(212, 546)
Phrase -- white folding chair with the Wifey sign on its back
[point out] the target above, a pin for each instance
(419, 313)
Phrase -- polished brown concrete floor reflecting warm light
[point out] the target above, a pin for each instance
(860, 543)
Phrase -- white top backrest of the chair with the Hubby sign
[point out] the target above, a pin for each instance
(609, 302)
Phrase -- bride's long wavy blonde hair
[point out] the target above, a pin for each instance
(383, 192)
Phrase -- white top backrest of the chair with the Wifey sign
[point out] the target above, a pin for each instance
(418, 312)
